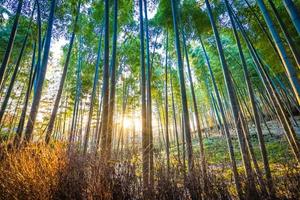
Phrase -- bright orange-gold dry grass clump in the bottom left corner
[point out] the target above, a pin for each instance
(31, 172)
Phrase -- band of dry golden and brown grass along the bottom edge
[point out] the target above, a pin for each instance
(50, 172)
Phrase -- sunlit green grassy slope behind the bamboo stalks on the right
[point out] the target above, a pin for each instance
(276, 144)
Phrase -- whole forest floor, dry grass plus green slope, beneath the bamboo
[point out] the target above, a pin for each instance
(52, 172)
